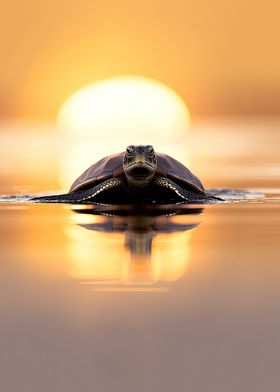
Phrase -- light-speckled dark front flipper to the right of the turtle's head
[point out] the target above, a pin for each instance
(183, 194)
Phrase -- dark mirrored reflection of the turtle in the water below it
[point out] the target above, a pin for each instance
(141, 226)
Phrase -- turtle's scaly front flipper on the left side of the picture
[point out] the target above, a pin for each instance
(82, 196)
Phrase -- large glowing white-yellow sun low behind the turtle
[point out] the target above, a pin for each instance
(130, 106)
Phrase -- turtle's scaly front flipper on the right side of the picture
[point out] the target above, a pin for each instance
(176, 193)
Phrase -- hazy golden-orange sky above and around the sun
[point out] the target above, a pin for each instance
(221, 56)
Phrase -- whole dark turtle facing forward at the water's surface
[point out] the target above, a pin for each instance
(137, 175)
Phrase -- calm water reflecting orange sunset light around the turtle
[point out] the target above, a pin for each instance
(186, 302)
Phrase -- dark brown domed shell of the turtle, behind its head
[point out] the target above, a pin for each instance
(111, 166)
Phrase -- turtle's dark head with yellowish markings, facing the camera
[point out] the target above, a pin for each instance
(139, 164)
